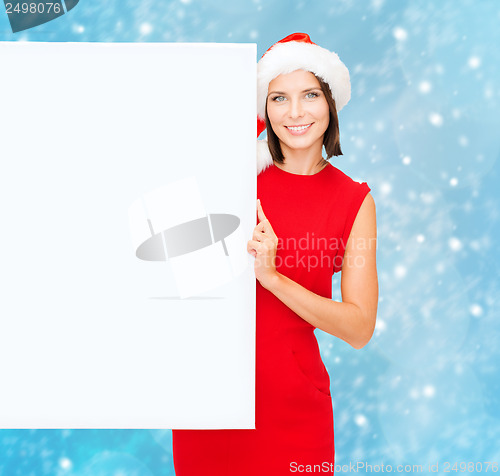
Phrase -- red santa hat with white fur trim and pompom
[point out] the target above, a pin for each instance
(297, 51)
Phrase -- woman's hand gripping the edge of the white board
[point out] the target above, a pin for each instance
(263, 248)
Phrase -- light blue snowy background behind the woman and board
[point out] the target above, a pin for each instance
(422, 129)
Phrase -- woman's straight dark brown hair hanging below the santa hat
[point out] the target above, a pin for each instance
(331, 139)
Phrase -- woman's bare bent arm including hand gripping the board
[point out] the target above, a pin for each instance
(353, 319)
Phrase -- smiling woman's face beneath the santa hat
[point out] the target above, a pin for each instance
(297, 110)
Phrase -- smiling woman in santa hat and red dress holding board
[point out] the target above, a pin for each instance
(313, 221)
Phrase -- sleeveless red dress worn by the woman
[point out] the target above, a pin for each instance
(312, 216)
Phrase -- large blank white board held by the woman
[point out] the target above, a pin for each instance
(103, 147)
